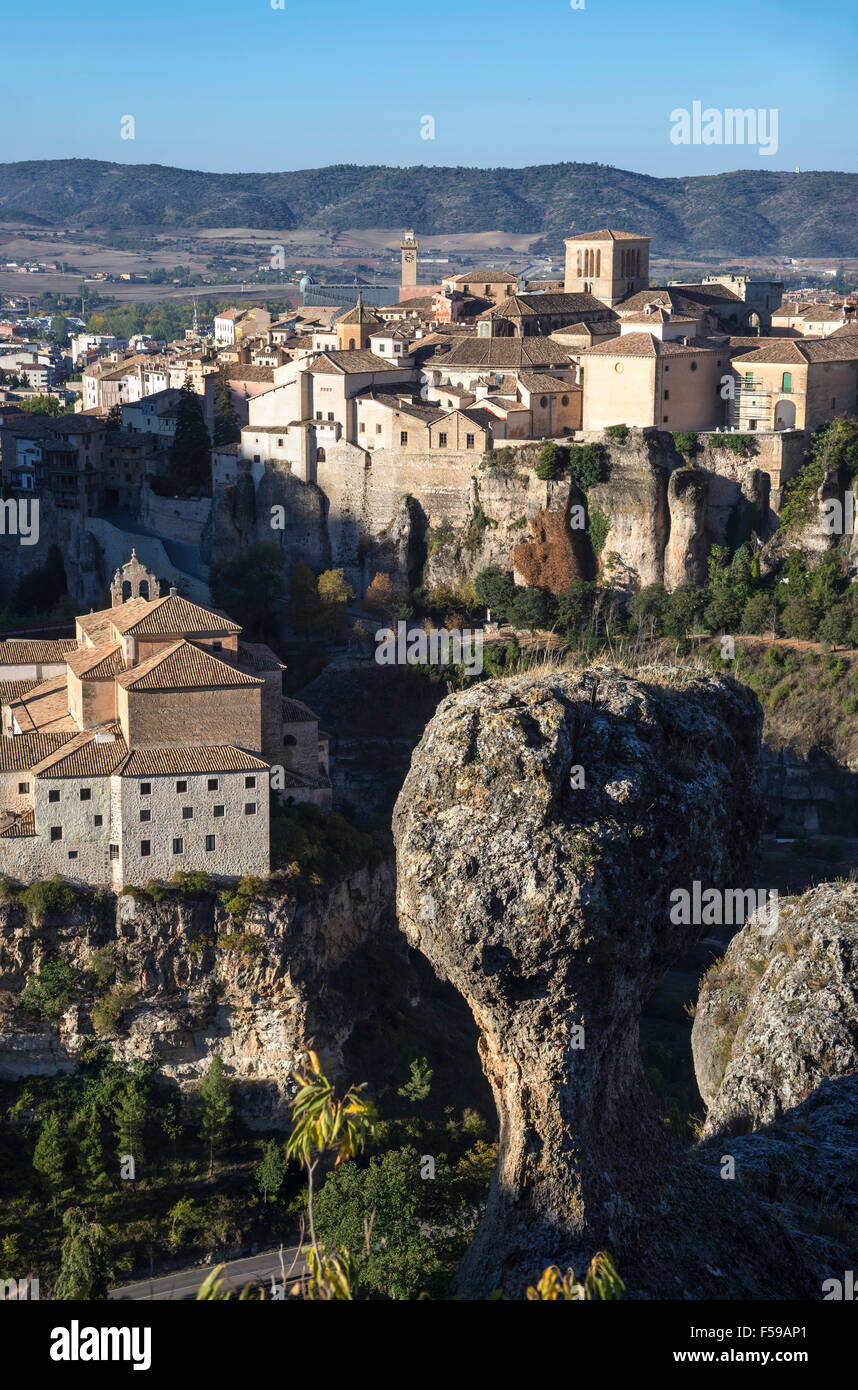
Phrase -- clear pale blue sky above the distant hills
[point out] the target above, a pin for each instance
(262, 85)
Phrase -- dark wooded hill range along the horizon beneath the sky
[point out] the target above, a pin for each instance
(746, 213)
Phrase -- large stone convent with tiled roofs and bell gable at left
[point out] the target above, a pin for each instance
(154, 750)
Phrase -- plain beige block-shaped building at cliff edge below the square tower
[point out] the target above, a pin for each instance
(643, 380)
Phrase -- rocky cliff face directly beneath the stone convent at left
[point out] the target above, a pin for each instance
(254, 992)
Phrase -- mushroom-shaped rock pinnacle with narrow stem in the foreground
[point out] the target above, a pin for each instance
(540, 833)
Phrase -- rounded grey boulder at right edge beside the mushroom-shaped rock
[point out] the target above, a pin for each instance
(777, 976)
